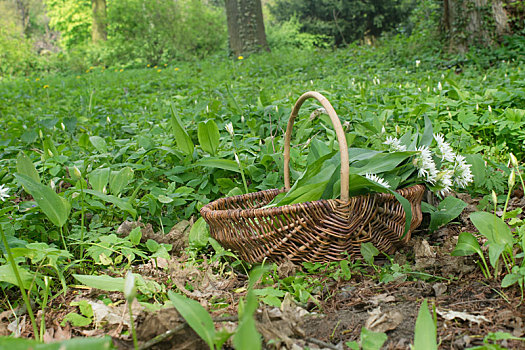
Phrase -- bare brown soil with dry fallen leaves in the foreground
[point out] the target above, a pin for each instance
(468, 306)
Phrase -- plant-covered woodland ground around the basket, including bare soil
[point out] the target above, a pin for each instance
(103, 175)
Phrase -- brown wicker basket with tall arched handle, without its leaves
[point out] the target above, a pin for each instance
(323, 230)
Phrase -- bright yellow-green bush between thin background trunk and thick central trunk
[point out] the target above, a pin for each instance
(144, 32)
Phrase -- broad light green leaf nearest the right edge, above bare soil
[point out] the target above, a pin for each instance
(492, 227)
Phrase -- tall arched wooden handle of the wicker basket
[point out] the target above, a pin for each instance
(343, 147)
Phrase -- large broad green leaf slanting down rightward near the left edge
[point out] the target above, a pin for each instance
(54, 206)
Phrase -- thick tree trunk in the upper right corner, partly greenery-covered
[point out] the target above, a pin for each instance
(474, 23)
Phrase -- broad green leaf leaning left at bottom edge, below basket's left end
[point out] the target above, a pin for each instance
(196, 316)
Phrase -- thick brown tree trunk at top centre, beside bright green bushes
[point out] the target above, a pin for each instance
(245, 26)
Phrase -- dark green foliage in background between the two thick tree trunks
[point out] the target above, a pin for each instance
(345, 21)
